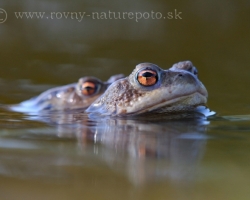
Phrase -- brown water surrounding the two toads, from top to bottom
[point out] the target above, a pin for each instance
(73, 157)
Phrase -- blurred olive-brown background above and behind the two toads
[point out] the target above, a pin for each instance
(214, 35)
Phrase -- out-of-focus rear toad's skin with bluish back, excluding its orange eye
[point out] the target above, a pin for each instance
(66, 97)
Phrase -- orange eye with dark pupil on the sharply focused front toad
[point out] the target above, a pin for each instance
(147, 77)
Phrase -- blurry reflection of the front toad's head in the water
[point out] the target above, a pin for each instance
(151, 151)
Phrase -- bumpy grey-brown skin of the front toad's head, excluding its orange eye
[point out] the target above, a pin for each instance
(177, 89)
